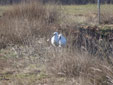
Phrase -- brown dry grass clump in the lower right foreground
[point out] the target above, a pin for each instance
(86, 69)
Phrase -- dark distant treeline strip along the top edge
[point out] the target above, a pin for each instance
(60, 1)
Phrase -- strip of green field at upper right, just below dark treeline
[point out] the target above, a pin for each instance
(85, 9)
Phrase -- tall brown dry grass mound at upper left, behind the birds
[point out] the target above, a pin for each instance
(29, 20)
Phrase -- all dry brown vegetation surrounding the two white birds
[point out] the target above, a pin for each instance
(27, 58)
